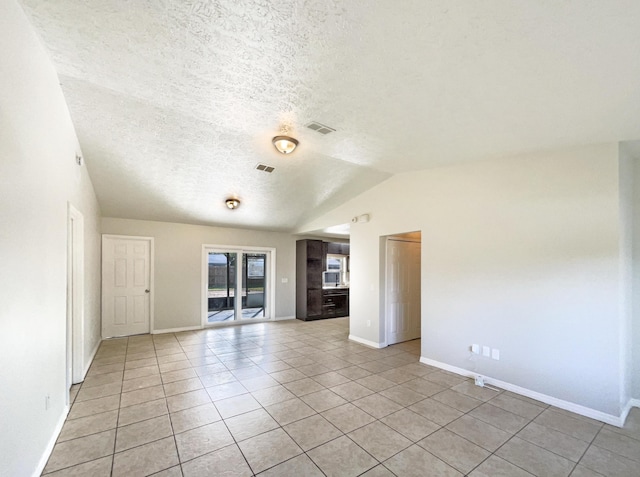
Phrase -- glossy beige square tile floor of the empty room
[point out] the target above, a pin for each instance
(296, 398)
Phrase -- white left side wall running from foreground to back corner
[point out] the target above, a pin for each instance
(38, 177)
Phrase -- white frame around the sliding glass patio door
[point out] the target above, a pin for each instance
(271, 267)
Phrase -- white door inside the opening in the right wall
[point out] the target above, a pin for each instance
(403, 291)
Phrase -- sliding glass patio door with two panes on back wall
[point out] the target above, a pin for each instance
(238, 284)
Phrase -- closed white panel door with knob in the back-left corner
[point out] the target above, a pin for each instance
(126, 285)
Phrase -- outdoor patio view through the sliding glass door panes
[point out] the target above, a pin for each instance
(227, 281)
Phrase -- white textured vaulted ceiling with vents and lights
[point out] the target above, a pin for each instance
(176, 101)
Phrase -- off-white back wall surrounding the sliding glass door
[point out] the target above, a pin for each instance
(178, 265)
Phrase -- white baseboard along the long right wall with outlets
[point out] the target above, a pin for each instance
(617, 421)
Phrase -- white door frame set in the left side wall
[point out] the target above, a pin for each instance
(75, 296)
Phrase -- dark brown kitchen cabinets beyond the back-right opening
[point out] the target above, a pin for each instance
(312, 301)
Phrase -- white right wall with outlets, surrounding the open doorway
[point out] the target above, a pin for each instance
(520, 254)
